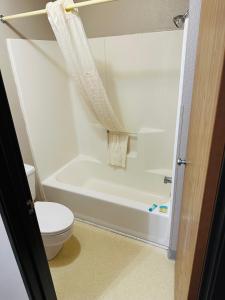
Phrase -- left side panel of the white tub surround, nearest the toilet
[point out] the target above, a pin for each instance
(42, 86)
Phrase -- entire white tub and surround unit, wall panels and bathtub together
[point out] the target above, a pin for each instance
(70, 147)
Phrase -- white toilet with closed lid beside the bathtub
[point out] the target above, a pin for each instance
(55, 220)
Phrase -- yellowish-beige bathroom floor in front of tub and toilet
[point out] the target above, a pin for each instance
(99, 264)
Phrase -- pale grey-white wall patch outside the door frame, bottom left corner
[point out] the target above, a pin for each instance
(11, 283)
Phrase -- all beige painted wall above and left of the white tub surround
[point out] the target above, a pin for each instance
(99, 20)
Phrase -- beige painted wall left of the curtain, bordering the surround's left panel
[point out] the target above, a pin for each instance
(36, 28)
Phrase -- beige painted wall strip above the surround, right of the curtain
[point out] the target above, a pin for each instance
(131, 16)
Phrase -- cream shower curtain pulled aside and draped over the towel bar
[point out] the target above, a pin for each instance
(72, 40)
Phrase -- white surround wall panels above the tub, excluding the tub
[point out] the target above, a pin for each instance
(141, 75)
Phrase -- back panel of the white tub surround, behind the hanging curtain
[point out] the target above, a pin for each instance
(141, 75)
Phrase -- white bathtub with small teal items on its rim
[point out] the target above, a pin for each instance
(109, 197)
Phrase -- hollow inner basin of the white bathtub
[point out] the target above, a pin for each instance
(95, 176)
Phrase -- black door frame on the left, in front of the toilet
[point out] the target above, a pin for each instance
(17, 211)
